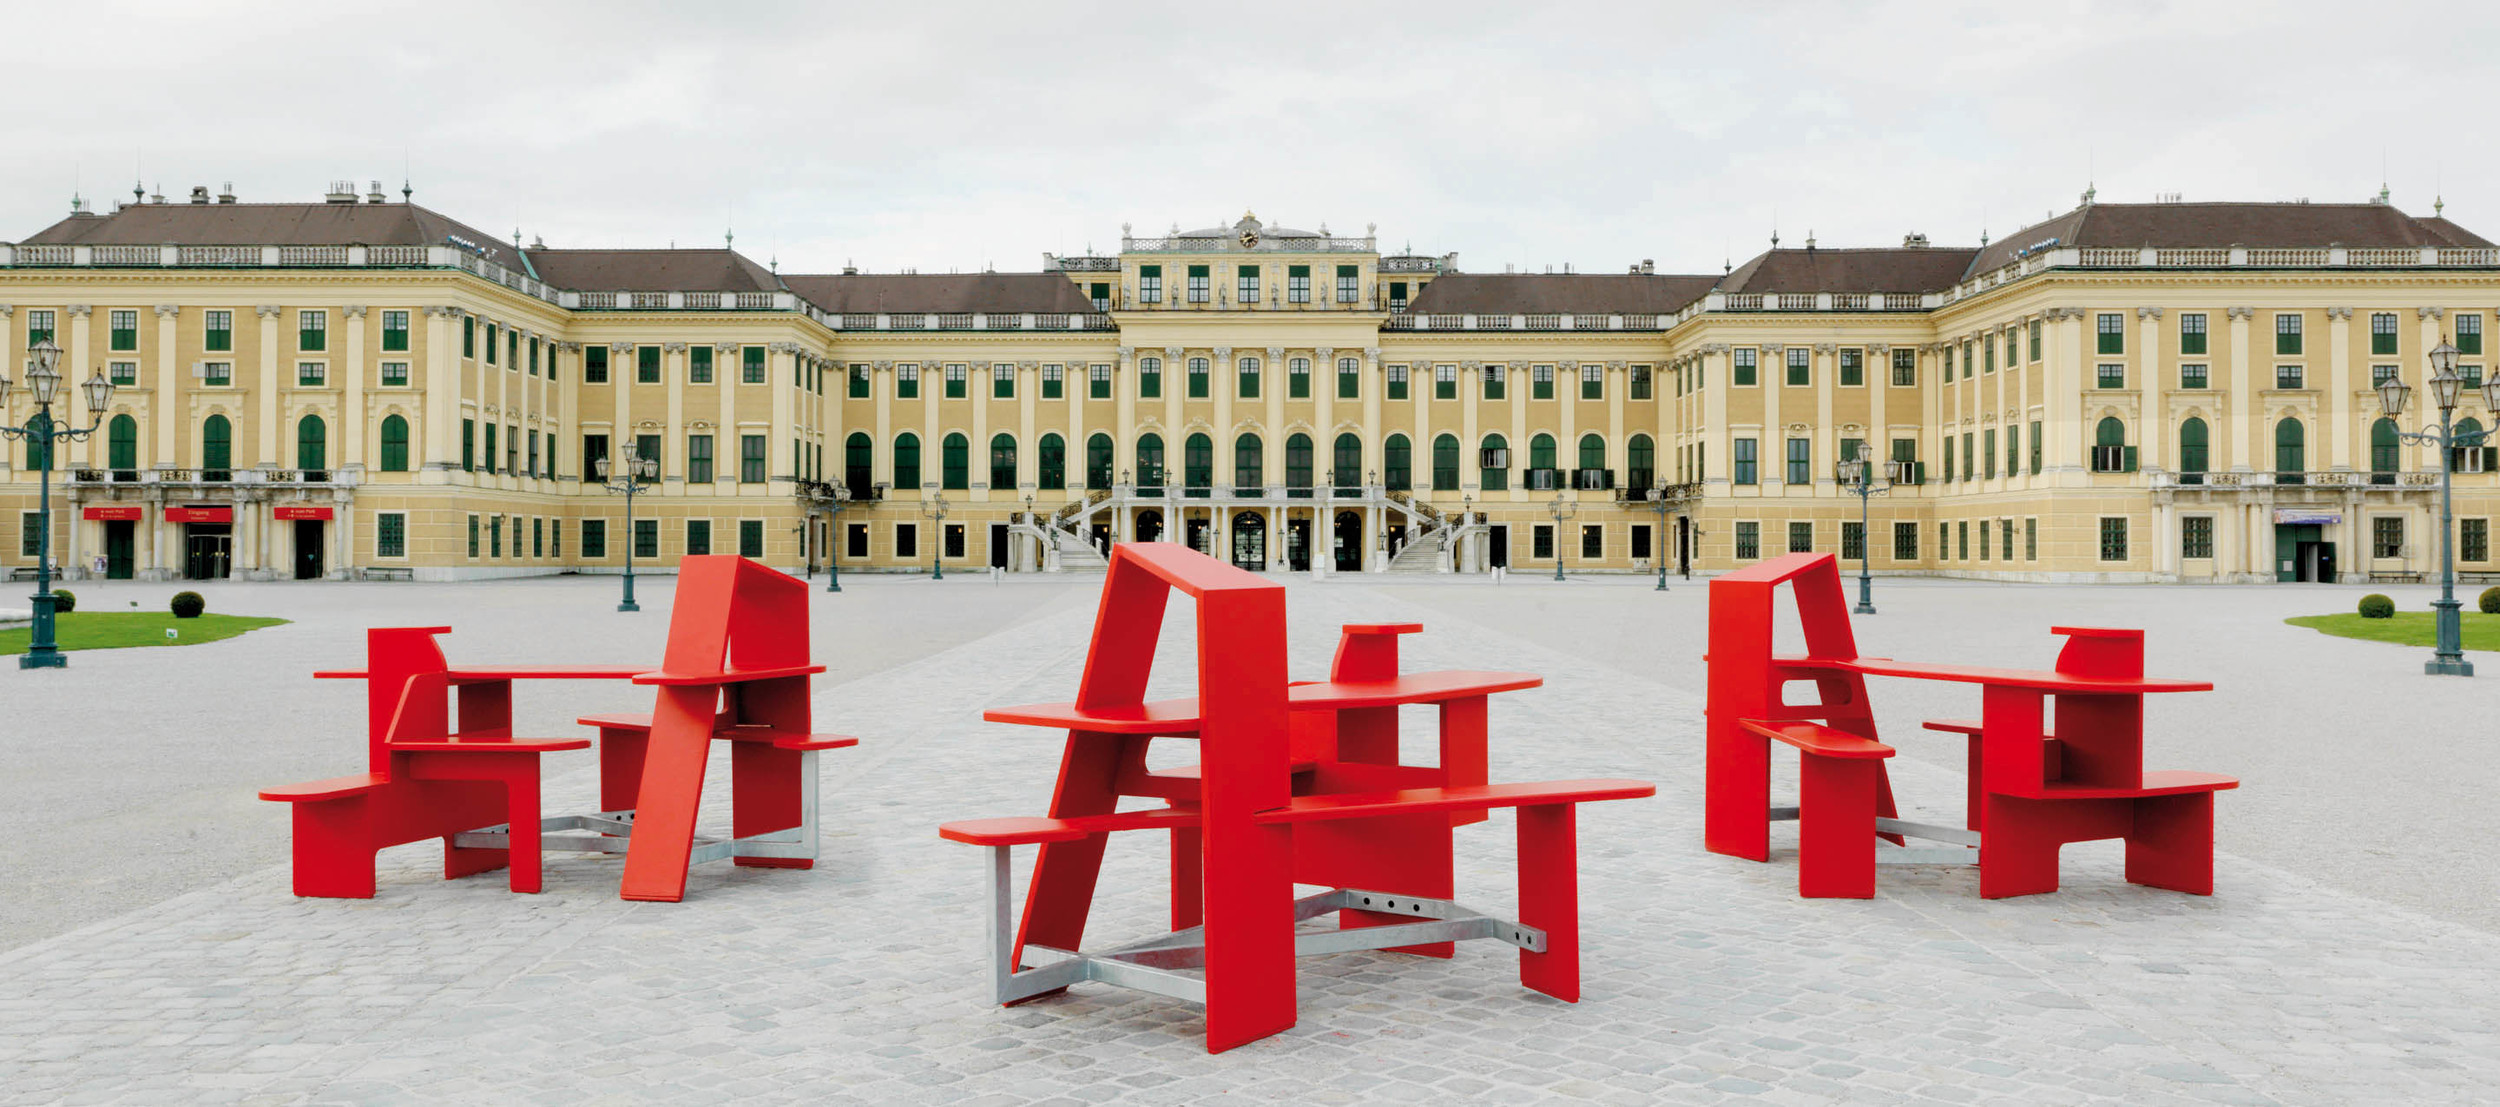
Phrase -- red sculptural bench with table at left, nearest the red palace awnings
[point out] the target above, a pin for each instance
(736, 671)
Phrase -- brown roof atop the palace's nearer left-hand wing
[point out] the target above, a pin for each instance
(324, 224)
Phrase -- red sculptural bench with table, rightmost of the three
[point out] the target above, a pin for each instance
(2031, 791)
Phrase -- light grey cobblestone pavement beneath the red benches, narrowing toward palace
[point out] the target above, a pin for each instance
(861, 981)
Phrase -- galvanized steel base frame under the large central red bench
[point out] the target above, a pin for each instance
(1159, 963)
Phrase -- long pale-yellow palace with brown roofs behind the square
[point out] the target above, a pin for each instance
(366, 389)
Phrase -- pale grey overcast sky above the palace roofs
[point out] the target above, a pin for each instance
(981, 136)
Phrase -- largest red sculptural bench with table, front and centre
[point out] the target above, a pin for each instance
(1296, 783)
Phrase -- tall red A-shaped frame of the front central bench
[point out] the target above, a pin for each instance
(1244, 771)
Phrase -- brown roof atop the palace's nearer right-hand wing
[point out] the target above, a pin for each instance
(2229, 224)
